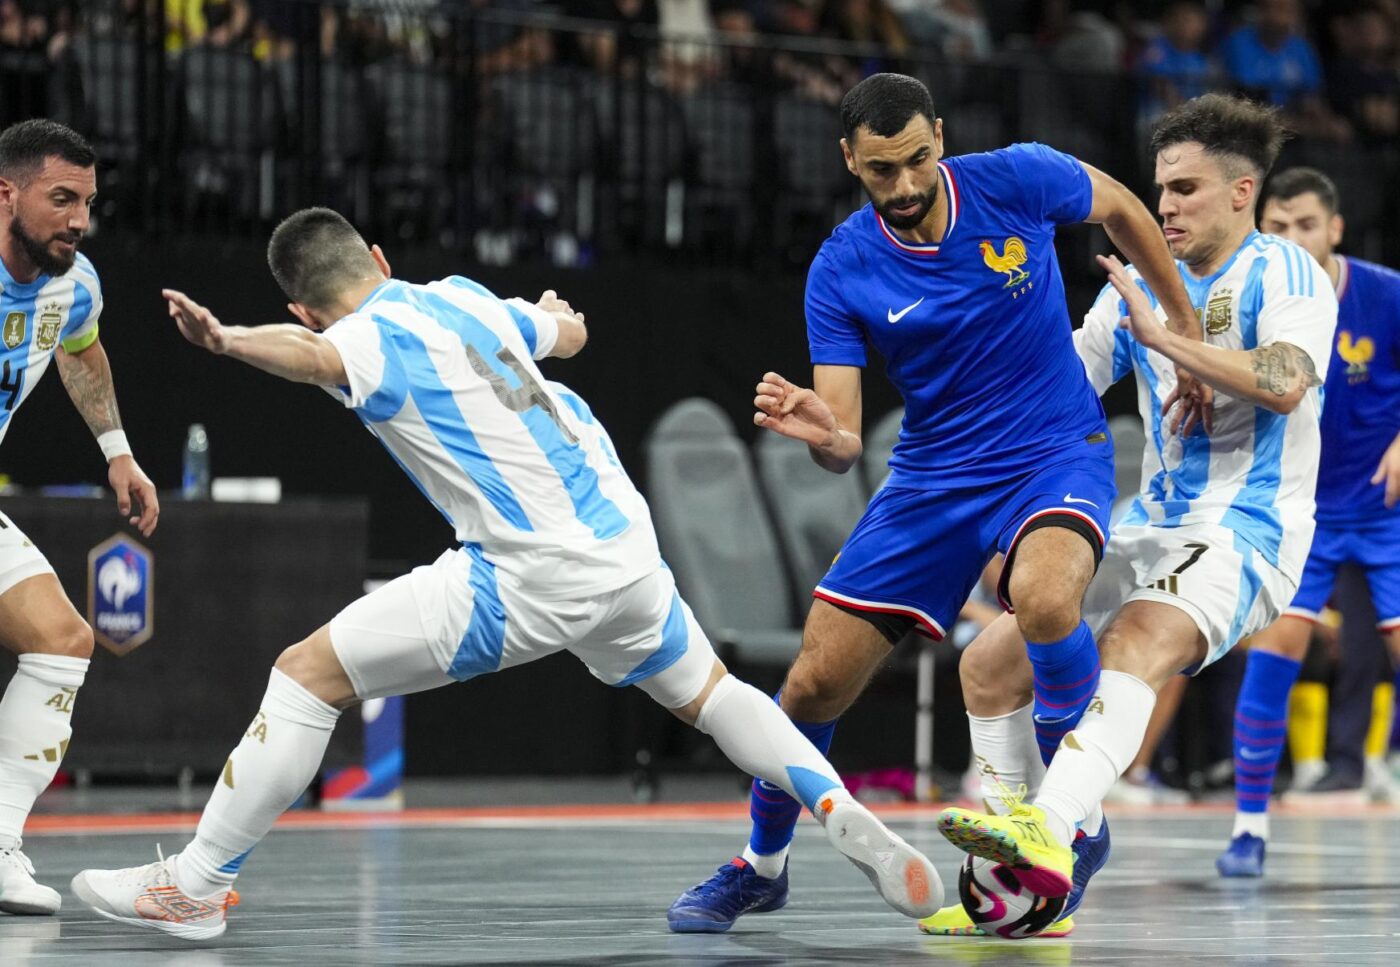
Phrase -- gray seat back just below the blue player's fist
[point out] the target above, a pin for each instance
(814, 509)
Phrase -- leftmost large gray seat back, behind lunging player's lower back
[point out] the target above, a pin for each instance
(716, 534)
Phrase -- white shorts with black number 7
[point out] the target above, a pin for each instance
(1202, 569)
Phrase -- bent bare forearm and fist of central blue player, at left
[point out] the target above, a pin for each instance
(821, 418)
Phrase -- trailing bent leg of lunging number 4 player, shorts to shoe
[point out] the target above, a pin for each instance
(376, 647)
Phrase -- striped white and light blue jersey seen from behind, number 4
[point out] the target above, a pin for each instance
(444, 376)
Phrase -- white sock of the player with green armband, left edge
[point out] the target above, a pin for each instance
(36, 727)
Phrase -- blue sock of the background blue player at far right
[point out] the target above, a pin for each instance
(1261, 727)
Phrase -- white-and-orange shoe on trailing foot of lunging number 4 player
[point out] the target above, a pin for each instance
(148, 896)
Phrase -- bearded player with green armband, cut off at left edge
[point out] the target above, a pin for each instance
(50, 309)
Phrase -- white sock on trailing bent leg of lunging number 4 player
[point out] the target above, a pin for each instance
(265, 775)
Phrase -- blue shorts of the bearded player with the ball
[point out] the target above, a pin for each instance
(919, 553)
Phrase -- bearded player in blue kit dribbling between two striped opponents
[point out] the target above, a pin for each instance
(951, 275)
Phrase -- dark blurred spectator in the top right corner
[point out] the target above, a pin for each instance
(1363, 82)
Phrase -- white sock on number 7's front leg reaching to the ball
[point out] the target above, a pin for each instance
(1097, 752)
